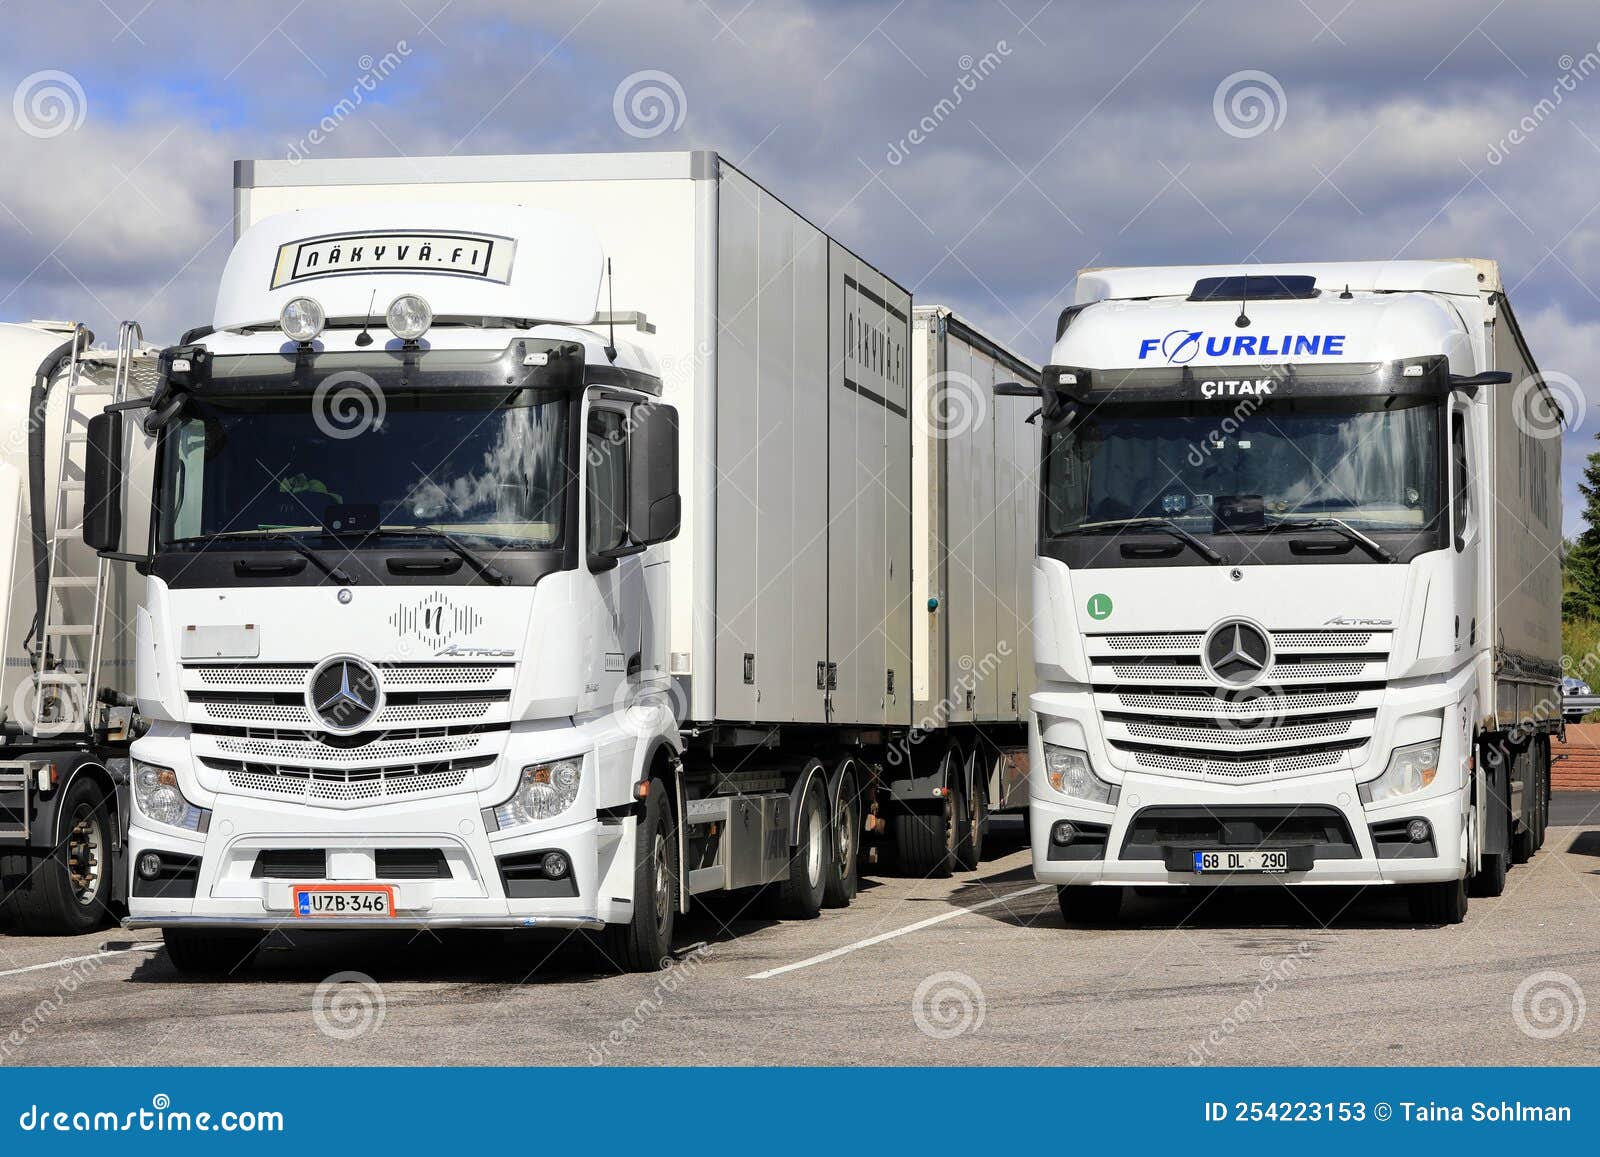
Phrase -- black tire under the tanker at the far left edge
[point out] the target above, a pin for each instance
(71, 889)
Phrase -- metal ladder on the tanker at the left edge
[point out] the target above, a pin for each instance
(66, 695)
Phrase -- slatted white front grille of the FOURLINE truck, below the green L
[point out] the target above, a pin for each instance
(1311, 711)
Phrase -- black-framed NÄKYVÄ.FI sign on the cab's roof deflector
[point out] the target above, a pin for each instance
(482, 257)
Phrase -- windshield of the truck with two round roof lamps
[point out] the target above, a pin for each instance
(487, 466)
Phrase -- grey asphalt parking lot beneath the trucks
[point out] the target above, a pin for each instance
(970, 971)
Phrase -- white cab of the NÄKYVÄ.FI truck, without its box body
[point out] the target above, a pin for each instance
(402, 636)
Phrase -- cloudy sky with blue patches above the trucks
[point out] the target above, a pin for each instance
(980, 153)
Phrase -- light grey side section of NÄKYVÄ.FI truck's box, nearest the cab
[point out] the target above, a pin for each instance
(772, 506)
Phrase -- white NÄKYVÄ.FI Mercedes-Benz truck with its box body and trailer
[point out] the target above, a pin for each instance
(473, 603)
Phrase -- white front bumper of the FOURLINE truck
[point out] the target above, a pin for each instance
(1351, 862)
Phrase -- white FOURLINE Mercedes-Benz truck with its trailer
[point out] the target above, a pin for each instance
(1297, 603)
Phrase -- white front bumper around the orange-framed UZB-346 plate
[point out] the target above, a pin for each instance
(470, 887)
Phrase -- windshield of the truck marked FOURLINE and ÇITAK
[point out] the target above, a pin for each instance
(1244, 465)
